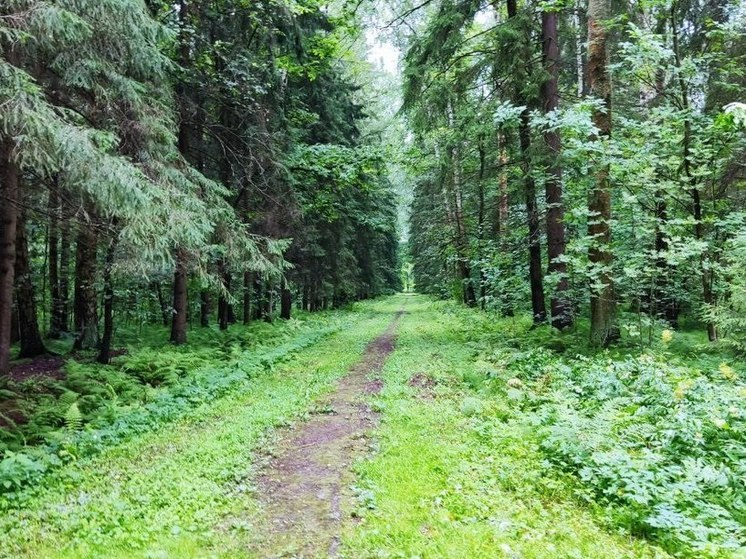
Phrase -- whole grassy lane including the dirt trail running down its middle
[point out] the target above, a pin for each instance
(378, 441)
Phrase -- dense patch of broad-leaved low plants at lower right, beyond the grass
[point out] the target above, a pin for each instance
(662, 445)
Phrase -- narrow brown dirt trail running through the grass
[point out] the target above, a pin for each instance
(303, 487)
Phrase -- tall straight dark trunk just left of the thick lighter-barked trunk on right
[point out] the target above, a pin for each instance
(560, 308)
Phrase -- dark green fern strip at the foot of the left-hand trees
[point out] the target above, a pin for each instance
(151, 367)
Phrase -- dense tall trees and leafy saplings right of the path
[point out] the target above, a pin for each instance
(588, 159)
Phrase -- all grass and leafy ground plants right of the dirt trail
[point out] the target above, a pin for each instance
(649, 441)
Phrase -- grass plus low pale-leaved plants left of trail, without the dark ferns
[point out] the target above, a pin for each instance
(171, 477)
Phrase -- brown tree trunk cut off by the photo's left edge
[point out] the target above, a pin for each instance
(9, 194)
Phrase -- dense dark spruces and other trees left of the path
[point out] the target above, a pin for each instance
(190, 162)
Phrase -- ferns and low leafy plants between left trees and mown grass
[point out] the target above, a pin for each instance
(94, 406)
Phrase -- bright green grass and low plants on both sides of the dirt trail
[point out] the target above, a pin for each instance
(501, 448)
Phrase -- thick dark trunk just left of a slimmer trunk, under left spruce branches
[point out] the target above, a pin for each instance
(86, 316)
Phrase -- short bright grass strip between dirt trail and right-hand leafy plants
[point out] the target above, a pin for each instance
(460, 472)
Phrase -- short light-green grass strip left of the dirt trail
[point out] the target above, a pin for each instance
(168, 493)
